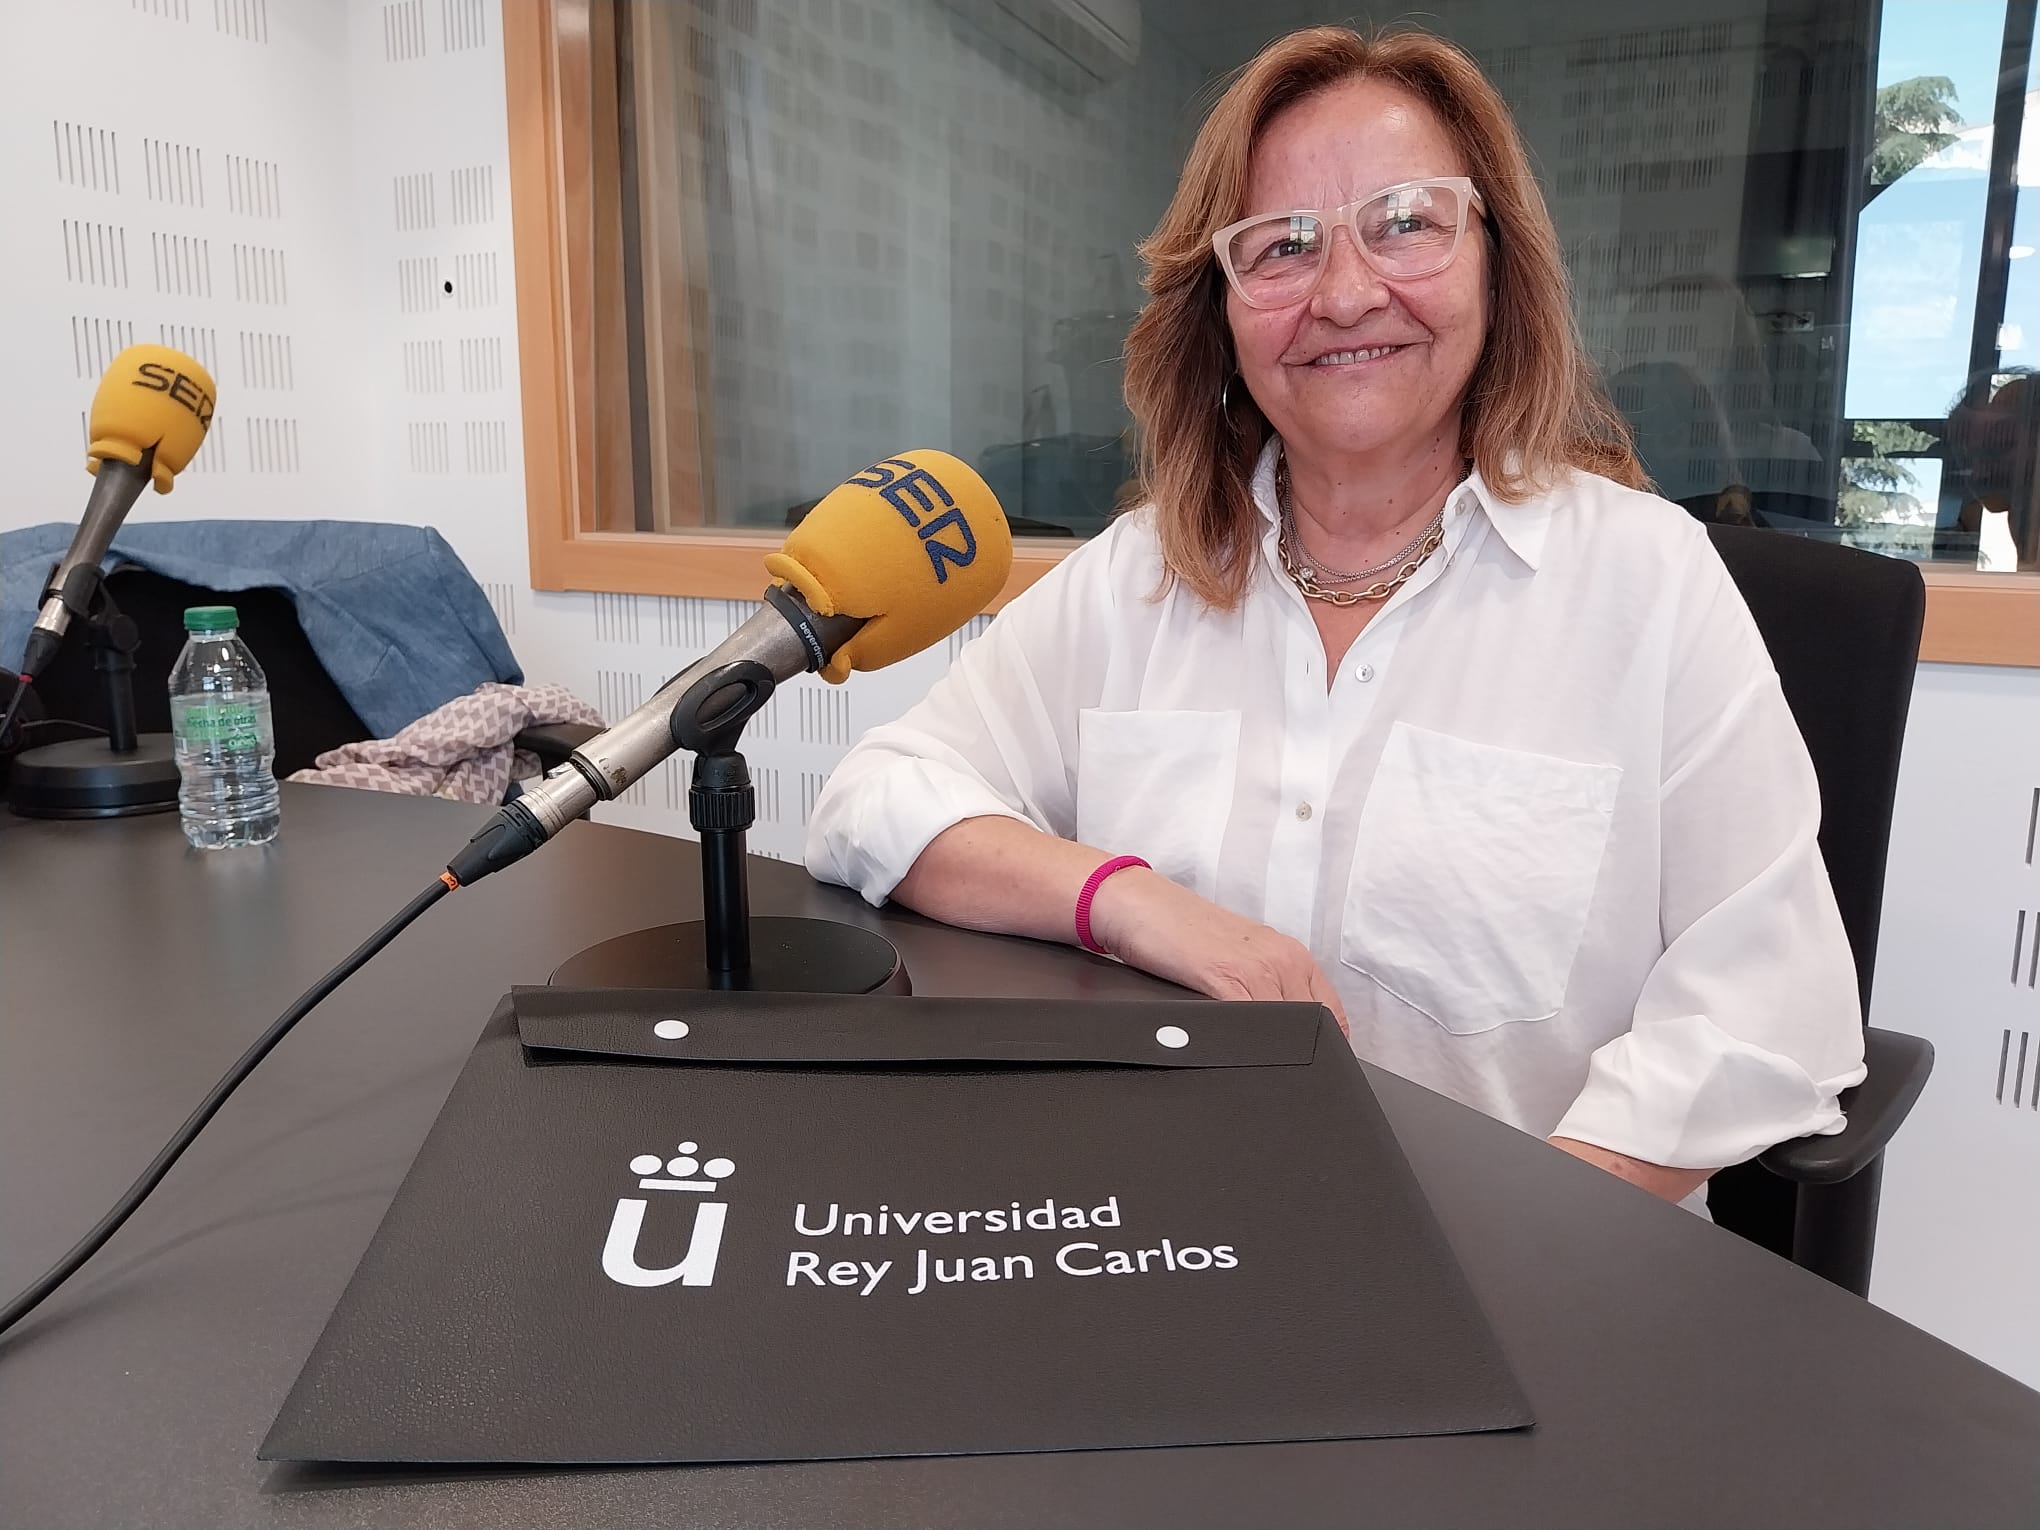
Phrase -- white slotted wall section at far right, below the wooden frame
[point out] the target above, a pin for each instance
(1959, 964)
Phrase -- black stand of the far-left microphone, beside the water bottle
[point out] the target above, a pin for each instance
(81, 778)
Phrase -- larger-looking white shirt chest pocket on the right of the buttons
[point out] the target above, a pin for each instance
(1474, 874)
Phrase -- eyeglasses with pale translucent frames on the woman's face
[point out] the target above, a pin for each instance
(1402, 232)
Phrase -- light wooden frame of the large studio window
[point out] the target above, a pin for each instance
(1984, 619)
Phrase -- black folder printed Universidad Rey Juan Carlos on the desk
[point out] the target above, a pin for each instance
(691, 1227)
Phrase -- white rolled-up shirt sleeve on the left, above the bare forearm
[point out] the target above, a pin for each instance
(994, 737)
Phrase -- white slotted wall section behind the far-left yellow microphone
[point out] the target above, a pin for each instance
(172, 172)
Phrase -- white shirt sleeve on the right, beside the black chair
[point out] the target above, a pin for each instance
(1749, 1025)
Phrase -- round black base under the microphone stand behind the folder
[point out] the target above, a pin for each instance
(788, 956)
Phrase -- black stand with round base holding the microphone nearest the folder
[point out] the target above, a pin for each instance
(727, 950)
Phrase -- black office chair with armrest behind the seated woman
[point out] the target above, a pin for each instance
(1843, 629)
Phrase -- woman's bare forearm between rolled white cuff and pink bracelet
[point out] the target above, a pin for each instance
(1001, 876)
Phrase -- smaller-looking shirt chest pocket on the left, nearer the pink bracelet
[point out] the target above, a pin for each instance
(1160, 786)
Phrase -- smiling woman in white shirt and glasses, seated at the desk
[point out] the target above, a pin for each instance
(1409, 697)
